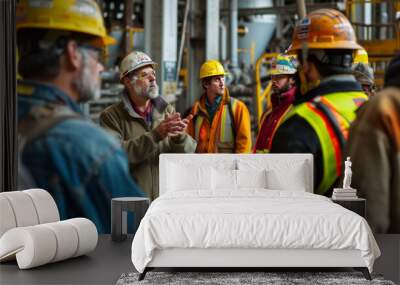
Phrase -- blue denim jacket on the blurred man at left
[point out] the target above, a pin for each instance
(80, 165)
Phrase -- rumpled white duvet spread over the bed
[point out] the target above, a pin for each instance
(253, 218)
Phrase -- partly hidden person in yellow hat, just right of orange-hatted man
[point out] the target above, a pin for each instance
(363, 72)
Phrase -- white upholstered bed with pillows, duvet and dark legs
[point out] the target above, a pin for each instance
(229, 210)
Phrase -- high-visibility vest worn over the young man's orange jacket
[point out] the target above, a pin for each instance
(226, 135)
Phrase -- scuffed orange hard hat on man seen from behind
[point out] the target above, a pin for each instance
(324, 29)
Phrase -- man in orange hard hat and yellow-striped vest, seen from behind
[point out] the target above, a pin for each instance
(328, 95)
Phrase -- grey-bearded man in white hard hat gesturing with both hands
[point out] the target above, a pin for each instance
(144, 123)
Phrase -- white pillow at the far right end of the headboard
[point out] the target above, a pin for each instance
(278, 180)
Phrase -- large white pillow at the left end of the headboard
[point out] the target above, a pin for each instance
(181, 177)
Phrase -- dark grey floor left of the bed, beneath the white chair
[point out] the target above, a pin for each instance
(102, 266)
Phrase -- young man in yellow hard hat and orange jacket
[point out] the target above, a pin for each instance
(220, 124)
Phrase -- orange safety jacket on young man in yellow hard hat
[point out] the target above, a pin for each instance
(229, 131)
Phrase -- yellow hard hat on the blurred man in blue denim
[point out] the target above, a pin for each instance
(81, 16)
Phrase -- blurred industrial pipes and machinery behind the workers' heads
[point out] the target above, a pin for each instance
(243, 34)
